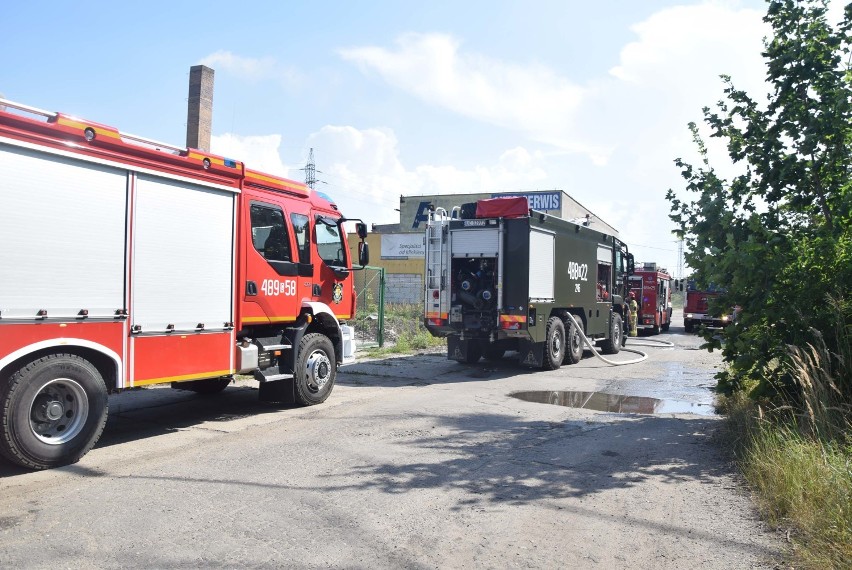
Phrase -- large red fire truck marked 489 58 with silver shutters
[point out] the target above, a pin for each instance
(127, 262)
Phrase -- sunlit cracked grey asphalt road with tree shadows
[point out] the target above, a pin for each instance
(413, 462)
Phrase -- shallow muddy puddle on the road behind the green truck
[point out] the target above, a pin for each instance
(603, 402)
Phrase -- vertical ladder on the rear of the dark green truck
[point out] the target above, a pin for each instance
(436, 296)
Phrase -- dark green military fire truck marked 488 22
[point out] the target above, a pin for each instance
(500, 277)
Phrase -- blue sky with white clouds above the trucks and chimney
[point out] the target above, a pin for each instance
(408, 97)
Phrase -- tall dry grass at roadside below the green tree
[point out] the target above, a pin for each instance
(798, 457)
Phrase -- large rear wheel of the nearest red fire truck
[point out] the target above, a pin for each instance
(52, 411)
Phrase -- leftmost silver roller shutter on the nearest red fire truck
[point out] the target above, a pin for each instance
(62, 235)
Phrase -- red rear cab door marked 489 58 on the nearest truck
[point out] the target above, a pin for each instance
(272, 292)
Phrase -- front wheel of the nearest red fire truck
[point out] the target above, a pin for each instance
(316, 369)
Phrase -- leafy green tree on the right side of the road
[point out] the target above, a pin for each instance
(777, 236)
